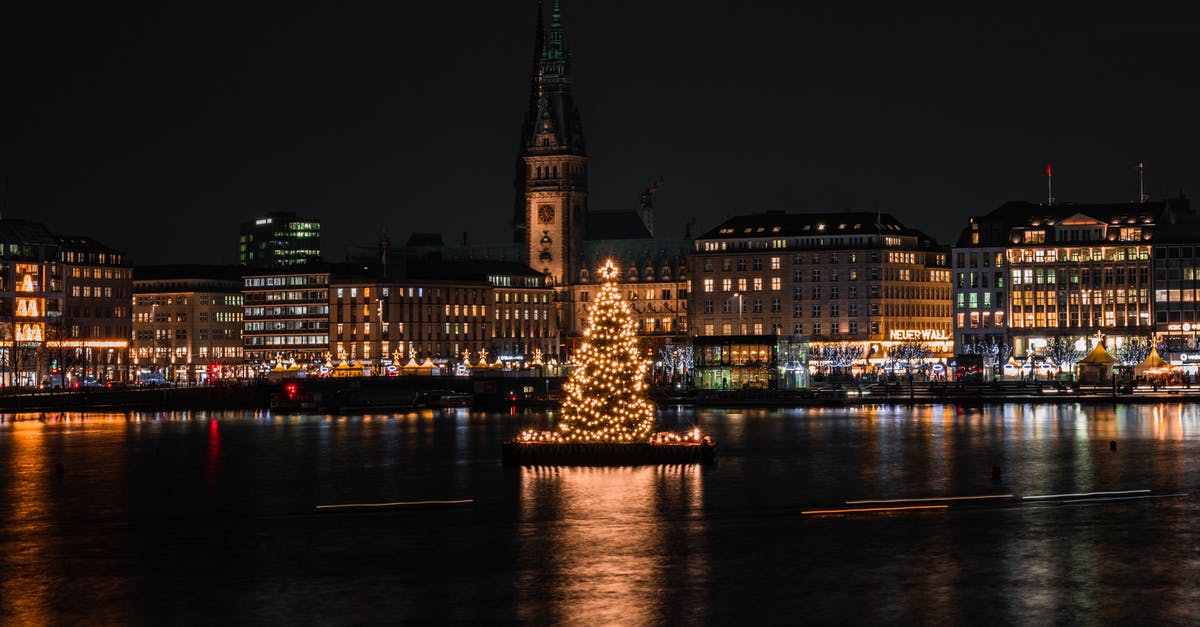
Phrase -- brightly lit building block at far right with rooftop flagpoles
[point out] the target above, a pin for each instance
(1051, 282)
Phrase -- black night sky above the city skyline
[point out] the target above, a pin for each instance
(159, 130)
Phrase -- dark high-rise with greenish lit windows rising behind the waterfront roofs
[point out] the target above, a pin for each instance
(280, 240)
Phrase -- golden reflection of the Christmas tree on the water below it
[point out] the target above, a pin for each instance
(610, 546)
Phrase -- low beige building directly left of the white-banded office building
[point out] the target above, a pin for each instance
(188, 324)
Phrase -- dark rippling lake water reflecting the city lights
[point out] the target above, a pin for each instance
(202, 518)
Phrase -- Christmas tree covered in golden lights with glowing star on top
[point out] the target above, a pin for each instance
(605, 393)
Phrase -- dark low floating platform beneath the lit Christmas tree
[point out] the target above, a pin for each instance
(521, 453)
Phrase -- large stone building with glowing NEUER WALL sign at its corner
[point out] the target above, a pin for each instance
(860, 285)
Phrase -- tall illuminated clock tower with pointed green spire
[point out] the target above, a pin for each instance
(553, 176)
